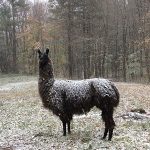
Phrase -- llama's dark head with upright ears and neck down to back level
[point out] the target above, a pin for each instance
(45, 65)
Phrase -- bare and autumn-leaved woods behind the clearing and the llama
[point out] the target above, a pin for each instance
(87, 38)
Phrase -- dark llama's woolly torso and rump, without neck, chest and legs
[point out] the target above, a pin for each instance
(82, 95)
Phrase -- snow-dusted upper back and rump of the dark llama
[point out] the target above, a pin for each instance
(84, 88)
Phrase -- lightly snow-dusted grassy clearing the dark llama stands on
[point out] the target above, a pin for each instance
(26, 125)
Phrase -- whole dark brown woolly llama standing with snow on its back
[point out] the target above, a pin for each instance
(68, 97)
